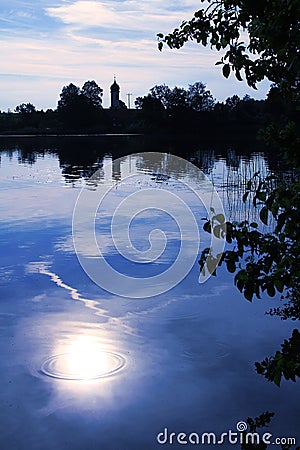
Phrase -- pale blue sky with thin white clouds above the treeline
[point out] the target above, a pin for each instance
(47, 44)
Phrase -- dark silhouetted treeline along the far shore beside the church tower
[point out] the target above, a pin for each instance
(163, 110)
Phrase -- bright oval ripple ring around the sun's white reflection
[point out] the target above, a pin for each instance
(71, 366)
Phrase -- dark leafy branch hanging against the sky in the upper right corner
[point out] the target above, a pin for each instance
(271, 30)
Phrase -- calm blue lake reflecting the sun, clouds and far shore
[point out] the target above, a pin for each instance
(118, 359)
